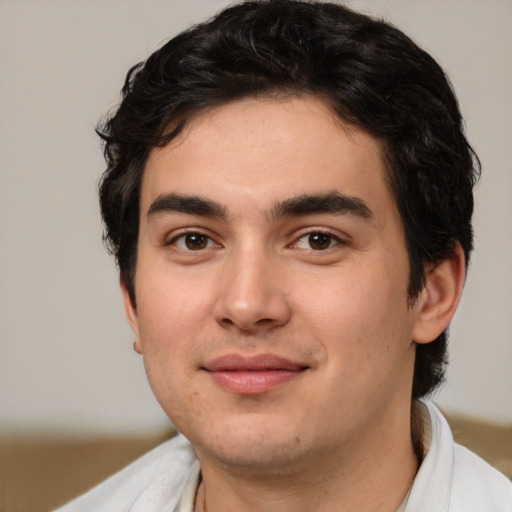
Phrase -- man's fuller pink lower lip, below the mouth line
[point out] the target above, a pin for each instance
(253, 382)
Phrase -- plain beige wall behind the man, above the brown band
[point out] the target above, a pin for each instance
(66, 363)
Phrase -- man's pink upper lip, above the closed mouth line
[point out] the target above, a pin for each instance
(260, 362)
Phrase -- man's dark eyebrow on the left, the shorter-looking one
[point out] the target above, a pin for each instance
(191, 205)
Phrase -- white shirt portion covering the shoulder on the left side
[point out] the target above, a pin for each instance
(159, 475)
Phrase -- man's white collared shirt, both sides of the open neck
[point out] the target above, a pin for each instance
(450, 479)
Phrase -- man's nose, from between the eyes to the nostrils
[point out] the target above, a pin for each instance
(252, 296)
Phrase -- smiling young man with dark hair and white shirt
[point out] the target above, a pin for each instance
(289, 199)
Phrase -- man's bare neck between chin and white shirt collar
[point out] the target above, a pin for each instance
(363, 477)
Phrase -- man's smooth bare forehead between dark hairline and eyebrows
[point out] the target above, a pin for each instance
(262, 150)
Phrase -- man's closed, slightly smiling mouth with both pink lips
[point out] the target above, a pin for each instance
(253, 375)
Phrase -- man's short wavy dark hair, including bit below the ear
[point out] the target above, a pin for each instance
(368, 72)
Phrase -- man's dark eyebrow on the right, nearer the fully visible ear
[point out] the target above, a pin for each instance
(330, 203)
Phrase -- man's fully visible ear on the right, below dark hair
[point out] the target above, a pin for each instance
(440, 296)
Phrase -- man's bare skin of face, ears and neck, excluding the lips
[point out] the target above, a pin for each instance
(335, 435)
